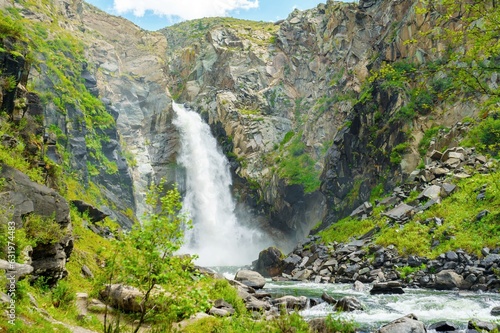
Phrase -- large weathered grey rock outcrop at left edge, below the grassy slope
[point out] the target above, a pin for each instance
(27, 197)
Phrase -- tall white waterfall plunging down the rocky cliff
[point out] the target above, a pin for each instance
(217, 237)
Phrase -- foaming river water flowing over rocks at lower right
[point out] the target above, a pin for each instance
(429, 306)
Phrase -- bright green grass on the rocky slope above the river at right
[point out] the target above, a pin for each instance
(460, 229)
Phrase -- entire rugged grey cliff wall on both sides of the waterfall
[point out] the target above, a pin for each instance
(309, 128)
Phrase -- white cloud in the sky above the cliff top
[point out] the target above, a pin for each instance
(186, 9)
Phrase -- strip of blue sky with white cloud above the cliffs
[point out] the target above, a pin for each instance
(157, 14)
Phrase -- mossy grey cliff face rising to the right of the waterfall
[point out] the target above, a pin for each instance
(296, 104)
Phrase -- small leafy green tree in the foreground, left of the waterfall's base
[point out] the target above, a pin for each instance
(144, 257)
